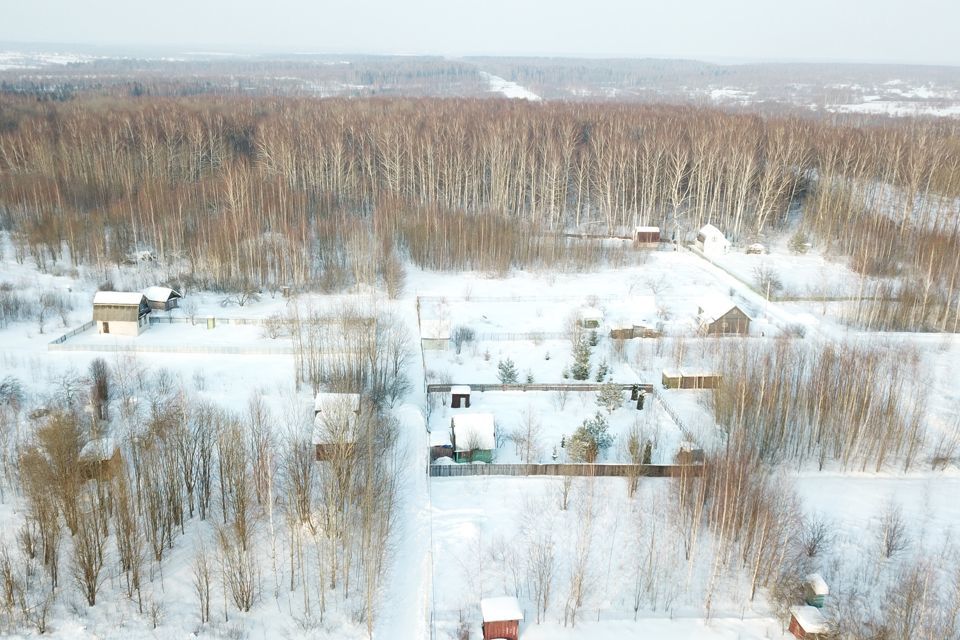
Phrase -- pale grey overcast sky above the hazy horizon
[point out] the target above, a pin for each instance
(910, 31)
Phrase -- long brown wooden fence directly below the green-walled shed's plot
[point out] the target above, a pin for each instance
(566, 469)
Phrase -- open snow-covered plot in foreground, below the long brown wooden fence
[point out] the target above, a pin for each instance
(486, 531)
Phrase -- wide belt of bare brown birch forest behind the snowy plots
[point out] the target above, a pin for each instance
(261, 191)
